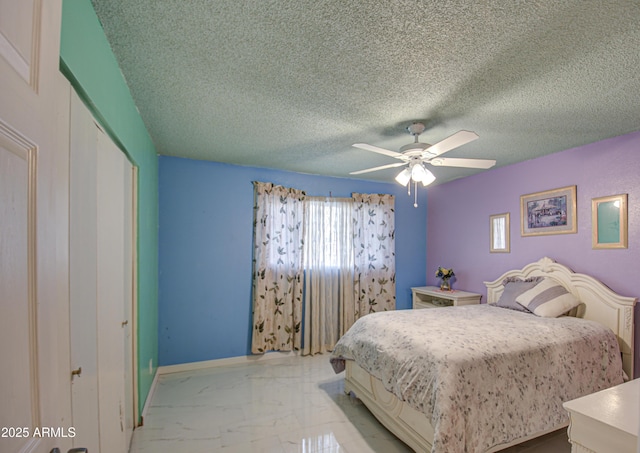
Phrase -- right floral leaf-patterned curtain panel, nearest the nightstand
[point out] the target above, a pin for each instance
(374, 242)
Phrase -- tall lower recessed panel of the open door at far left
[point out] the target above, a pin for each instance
(18, 382)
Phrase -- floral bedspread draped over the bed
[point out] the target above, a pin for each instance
(484, 375)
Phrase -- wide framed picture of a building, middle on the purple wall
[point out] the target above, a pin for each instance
(549, 212)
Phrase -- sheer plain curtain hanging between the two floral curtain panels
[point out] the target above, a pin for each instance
(329, 294)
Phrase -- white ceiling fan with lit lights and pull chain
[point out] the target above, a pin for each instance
(416, 154)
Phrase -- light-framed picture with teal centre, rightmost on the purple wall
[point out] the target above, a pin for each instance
(609, 222)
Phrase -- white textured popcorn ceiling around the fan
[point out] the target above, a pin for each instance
(293, 84)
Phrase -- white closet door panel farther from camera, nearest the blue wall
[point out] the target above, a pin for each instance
(113, 290)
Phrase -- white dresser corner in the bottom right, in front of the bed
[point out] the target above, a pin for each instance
(606, 421)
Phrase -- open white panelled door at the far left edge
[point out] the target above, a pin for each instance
(34, 194)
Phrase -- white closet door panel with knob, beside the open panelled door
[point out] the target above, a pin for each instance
(83, 279)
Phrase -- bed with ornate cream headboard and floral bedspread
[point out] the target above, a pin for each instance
(443, 400)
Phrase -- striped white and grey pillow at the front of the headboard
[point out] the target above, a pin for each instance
(548, 299)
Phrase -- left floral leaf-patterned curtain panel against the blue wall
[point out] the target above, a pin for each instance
(277, 268)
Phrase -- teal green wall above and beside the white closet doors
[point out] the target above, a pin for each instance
(89, 64)
